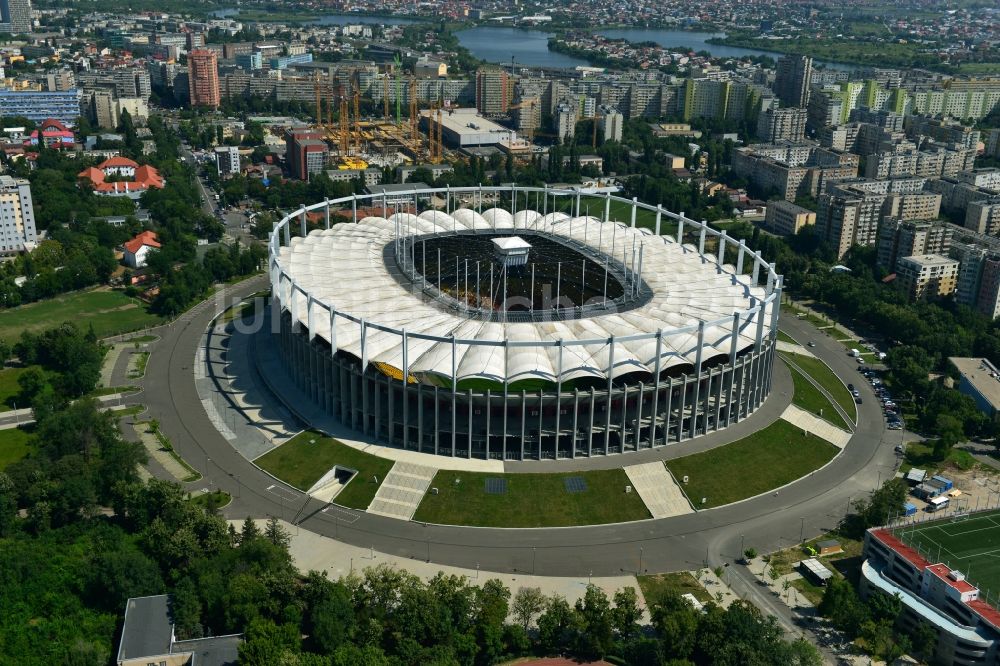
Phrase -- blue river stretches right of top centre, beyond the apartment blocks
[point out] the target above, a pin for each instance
(531, 47)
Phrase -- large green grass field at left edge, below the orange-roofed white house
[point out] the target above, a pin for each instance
(109, 312)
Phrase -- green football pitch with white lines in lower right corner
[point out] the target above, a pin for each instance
(970, 544)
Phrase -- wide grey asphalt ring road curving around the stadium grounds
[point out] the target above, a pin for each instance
(809, 506)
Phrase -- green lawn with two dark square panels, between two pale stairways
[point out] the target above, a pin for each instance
(531, 500)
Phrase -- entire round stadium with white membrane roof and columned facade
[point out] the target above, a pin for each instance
(509, 323)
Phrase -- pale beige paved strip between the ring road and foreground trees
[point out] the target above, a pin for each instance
(313, 552)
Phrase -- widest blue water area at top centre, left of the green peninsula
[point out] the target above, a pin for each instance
(528, 47)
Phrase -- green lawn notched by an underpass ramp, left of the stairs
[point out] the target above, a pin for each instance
(301, 463)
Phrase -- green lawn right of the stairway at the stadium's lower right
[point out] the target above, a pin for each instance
(767, 459)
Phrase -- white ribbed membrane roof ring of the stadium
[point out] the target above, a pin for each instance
(344, 266)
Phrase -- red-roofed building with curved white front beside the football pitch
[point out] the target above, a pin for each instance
(932, 594)
